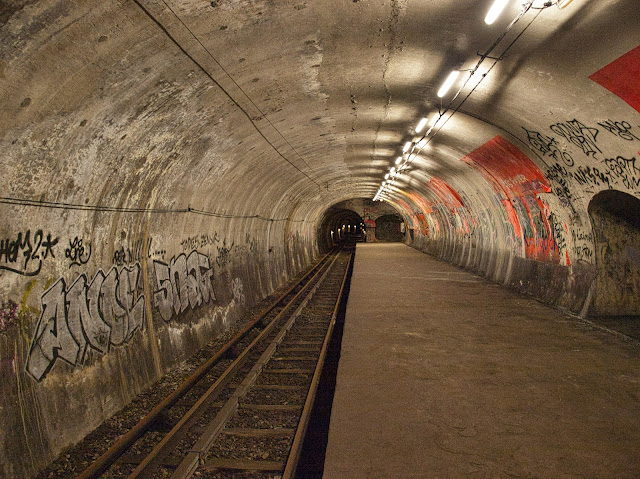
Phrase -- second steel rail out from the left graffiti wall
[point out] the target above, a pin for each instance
(150, 462)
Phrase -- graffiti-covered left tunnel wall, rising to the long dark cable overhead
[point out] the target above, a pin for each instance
(122, 250)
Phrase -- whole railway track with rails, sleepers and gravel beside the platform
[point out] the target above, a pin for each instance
(244, 412)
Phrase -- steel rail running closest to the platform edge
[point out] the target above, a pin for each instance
(301, 431)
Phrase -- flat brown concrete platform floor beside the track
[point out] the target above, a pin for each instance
(446, 375)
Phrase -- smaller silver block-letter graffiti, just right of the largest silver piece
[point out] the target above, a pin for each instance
(185, 282)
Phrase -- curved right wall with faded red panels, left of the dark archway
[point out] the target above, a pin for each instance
(537, 236)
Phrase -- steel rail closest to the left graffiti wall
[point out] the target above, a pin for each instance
(124, 442)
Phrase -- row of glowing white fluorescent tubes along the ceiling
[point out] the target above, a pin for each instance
(411, 149)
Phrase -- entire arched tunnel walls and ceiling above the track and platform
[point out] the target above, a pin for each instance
(168, 165)
